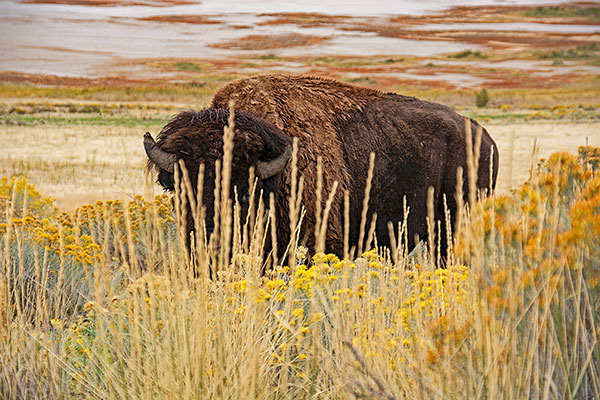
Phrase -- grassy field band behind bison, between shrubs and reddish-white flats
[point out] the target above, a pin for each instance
(82, 144)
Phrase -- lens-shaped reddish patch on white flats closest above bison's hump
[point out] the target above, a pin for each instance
(265, 42)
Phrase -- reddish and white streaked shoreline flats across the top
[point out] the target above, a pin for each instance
(466, 47)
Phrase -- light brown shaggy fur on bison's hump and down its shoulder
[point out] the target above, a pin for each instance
(306, 107)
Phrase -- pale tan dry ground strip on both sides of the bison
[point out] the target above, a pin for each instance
(109, 162)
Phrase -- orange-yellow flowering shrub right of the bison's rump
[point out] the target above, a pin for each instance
(545, 234)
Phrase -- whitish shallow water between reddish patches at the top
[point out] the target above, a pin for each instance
(67, 40)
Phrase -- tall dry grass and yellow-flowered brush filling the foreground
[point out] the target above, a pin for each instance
(106, 302)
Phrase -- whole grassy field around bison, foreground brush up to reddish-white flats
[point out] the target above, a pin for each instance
(98, 298)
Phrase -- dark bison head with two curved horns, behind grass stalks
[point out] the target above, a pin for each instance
(197, 138)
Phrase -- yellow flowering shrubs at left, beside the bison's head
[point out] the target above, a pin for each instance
(65, 249)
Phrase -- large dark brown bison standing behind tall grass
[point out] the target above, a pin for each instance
(418, 145)
